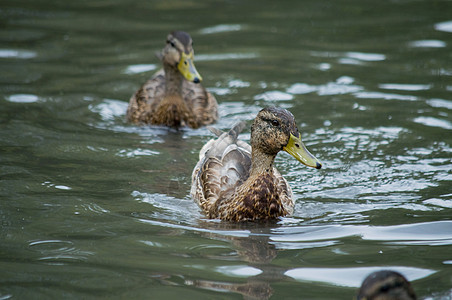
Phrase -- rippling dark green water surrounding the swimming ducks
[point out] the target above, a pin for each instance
(92, 207)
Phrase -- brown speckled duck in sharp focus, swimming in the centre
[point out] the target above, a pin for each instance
(237, 182)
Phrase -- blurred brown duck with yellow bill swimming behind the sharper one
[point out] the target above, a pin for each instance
(173, 96)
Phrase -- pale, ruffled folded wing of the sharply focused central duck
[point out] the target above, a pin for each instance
(224, 164)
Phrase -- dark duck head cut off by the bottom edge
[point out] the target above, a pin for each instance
(386, 285)
